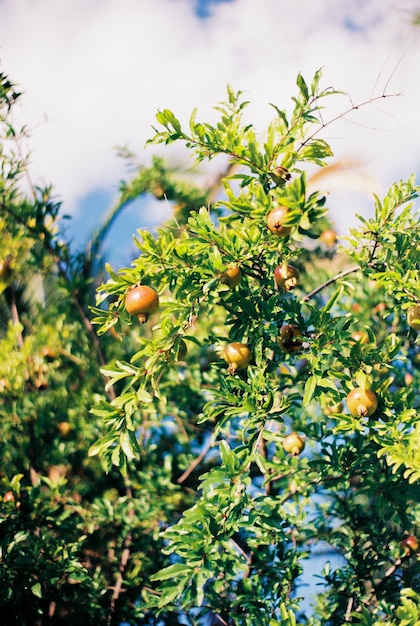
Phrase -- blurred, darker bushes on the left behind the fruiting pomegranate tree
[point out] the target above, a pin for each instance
(65, 527)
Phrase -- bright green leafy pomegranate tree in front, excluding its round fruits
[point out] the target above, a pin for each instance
(236, 555)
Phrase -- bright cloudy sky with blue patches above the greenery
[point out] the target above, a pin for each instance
(94, 73)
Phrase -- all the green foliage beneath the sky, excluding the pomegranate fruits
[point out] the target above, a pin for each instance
(201, 515)
